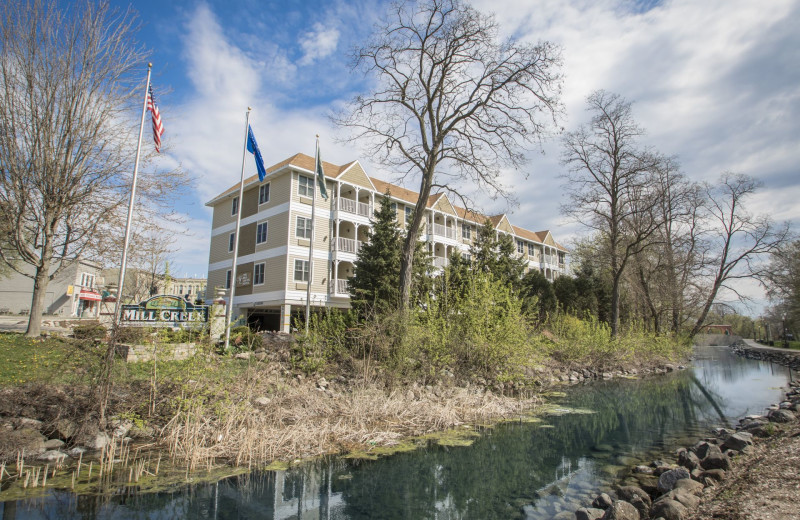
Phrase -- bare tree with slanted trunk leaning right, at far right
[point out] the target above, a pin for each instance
(736, 238)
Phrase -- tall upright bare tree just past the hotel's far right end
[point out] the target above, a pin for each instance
(610, 185)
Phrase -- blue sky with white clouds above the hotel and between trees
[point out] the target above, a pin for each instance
(715, 83)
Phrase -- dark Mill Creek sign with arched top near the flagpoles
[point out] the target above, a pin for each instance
(164, 310)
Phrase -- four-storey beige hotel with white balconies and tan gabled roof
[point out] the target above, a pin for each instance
(272, 273)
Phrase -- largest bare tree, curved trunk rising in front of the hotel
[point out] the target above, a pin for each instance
(449, 93)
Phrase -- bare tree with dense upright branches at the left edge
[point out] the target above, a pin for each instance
(69, 84)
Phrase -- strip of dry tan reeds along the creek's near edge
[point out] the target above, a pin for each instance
(303, 421)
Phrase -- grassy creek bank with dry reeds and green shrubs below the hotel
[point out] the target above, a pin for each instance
(341, 389)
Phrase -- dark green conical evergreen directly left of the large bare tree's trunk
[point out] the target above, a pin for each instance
(375, 282)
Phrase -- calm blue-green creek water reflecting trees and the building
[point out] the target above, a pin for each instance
(516, 470)
